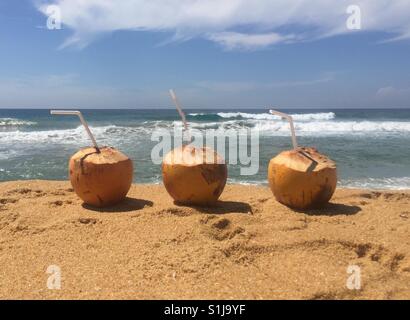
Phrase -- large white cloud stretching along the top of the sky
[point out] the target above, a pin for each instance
(223, 21)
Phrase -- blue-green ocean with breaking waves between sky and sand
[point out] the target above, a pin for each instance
(371, 147)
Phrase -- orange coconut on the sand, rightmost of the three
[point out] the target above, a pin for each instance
(302, 178)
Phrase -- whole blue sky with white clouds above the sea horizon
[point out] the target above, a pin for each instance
(213, 53)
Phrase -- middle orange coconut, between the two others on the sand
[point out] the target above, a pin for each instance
(194, 175)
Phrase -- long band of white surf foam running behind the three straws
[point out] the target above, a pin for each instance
(113, 133)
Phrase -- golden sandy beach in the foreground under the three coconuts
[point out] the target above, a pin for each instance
(247, 247)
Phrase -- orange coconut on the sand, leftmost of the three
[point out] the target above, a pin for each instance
(101, 177)
